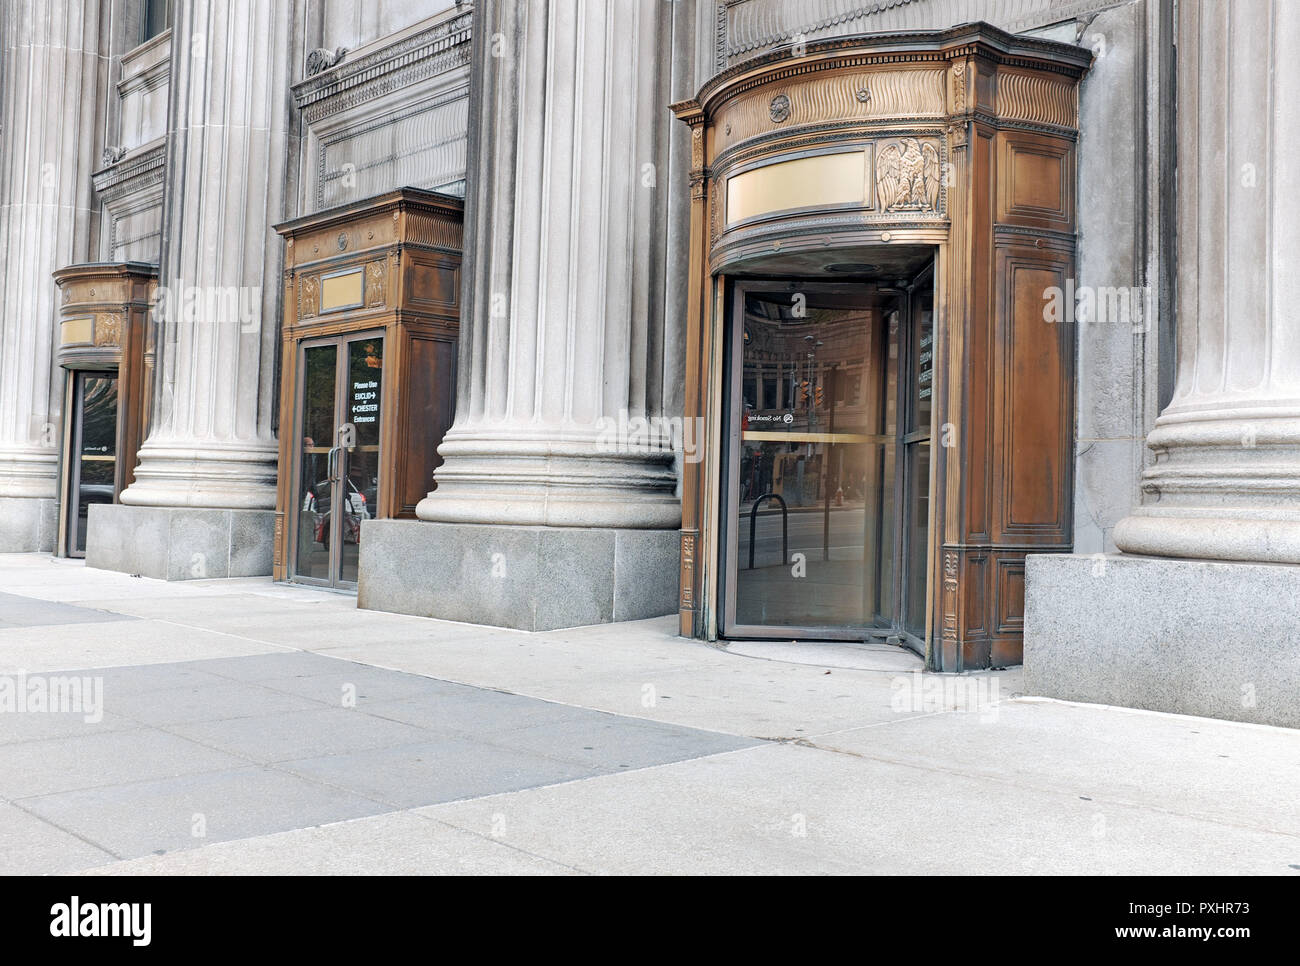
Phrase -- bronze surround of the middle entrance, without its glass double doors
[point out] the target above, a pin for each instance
(392, 266)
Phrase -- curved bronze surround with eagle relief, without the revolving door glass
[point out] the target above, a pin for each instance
(846, 159)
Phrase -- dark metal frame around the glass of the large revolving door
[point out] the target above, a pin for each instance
(727, 497)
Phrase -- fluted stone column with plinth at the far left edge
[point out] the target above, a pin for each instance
(51, 72)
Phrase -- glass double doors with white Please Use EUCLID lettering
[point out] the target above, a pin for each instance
(339, 465)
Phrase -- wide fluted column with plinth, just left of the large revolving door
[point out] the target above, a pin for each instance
(557, 503)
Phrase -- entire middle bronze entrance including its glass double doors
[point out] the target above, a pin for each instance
(369, 374)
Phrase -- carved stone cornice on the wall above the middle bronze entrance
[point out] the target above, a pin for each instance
(435, 50)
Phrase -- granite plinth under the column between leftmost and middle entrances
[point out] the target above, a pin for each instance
(180, 544)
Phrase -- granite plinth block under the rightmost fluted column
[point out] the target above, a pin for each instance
(1199, 638)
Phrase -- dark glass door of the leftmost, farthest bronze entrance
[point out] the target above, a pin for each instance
(93, 471)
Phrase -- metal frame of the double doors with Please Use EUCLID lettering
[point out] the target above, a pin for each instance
(339, 487)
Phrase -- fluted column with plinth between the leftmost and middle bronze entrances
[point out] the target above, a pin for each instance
(211, 449)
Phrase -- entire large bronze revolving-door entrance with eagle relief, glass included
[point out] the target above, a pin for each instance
(857, 161)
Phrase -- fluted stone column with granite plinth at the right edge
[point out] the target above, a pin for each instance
(1202, 613)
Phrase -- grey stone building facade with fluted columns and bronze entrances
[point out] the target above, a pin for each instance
(171, 141)
